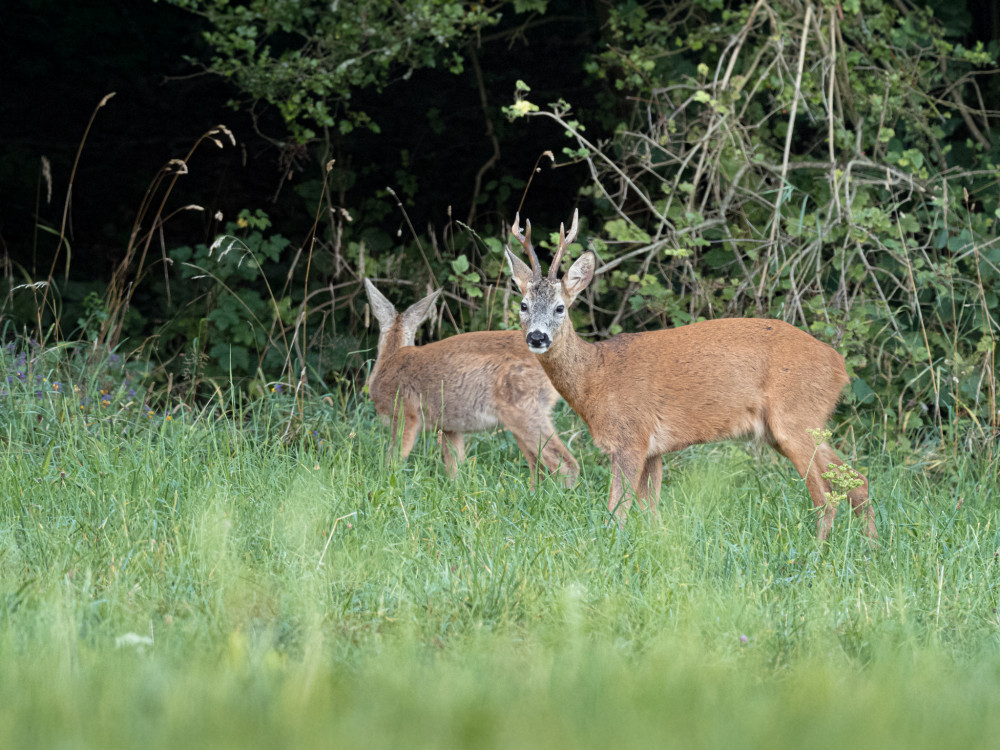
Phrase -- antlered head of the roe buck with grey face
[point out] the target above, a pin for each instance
(546, 300)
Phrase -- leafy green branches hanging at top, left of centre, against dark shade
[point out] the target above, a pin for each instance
(305, 58)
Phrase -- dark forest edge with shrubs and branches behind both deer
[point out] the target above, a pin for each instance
(830, 163)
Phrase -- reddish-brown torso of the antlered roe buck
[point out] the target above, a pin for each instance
(699, 383)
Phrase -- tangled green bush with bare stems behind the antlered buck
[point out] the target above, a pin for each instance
(817, 163)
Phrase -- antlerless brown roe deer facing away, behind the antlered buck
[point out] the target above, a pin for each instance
(465, 383)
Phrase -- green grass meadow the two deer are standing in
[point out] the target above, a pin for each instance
(191, 581)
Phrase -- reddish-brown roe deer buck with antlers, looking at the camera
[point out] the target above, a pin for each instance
(646, 394)
